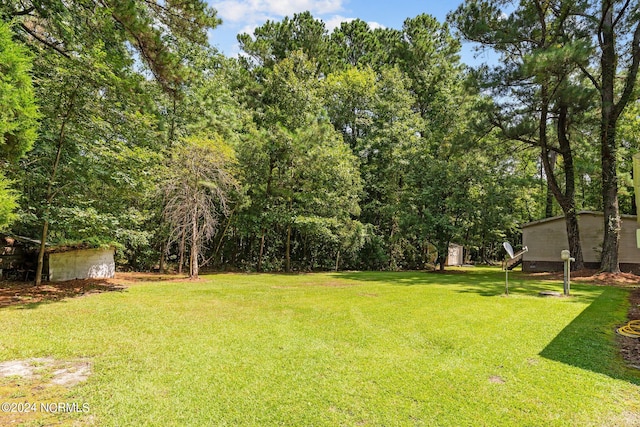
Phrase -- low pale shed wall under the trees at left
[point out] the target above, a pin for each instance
(81, 264)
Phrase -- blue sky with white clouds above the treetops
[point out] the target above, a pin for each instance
(245, 15)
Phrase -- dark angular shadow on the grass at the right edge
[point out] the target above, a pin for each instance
(588, 342)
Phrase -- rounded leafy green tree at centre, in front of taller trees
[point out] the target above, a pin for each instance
(305, 179)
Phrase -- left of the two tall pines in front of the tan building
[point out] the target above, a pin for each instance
(542, 97)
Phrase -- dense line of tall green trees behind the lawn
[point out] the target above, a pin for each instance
(357, 148)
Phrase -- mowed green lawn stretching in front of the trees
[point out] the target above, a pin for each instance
(352, 349)
